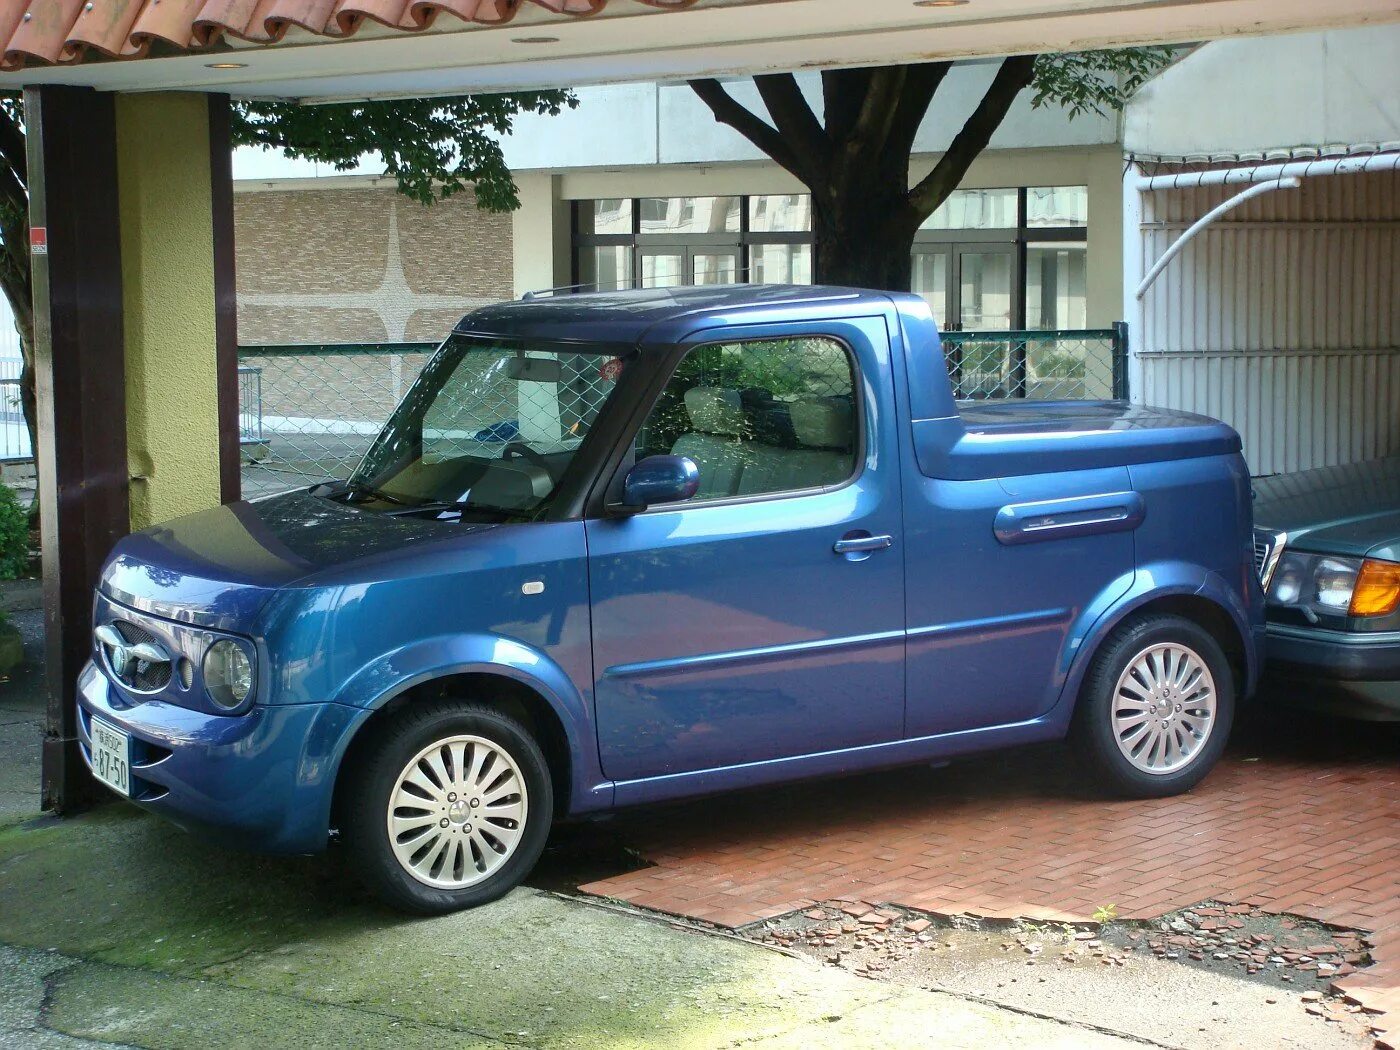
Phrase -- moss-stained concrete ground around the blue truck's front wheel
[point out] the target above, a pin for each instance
(122, 930)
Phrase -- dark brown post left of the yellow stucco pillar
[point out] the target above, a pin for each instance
(82, 393)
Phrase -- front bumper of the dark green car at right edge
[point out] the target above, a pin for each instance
(1339, 671)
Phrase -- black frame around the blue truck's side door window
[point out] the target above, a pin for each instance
(608, 493)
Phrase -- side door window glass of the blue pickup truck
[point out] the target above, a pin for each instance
(759, 418)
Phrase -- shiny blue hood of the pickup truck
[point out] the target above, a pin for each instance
(220, 568)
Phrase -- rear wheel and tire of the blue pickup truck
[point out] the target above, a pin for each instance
(1156, 709)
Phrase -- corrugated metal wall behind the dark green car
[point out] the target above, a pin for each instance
(1282, 318)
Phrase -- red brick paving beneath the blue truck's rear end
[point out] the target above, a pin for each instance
(1301, 817)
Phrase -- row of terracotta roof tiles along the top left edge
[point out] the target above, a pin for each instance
(65, 31)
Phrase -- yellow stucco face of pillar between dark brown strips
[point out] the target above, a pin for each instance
(169, 289)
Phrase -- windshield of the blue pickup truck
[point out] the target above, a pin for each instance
(488, 432)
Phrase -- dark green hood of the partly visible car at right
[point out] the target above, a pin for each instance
(1342, 510)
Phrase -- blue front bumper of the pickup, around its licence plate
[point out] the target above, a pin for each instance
(260, 780)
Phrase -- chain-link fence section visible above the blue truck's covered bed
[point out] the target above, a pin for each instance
(1088, 365)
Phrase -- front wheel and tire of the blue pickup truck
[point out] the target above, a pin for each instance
(451, 808)
